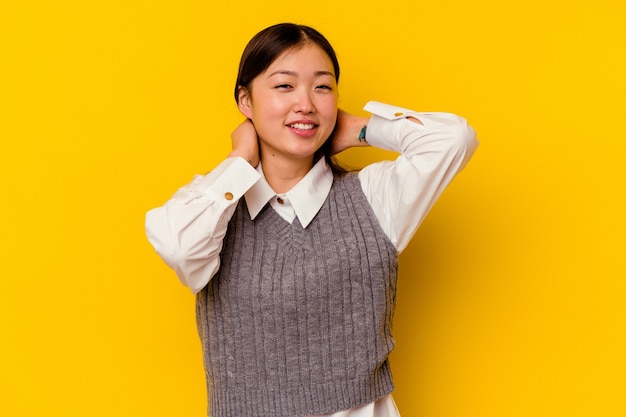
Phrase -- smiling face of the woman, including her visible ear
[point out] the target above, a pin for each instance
(293, 104)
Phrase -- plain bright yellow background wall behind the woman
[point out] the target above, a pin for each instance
(512, 295)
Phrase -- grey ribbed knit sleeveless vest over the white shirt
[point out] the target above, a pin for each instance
(298, 321)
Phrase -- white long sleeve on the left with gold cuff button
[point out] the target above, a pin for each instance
(188, 230)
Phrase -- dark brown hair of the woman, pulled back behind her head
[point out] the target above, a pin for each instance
(269, 44)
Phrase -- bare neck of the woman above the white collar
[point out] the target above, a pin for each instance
(282, 174)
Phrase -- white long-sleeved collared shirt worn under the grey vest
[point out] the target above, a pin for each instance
(187, 232)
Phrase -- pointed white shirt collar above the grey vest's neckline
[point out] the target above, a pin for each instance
(306, 197)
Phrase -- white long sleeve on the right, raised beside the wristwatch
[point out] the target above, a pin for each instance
(401, 192)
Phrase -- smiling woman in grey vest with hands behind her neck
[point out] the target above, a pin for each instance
(296, 281)
